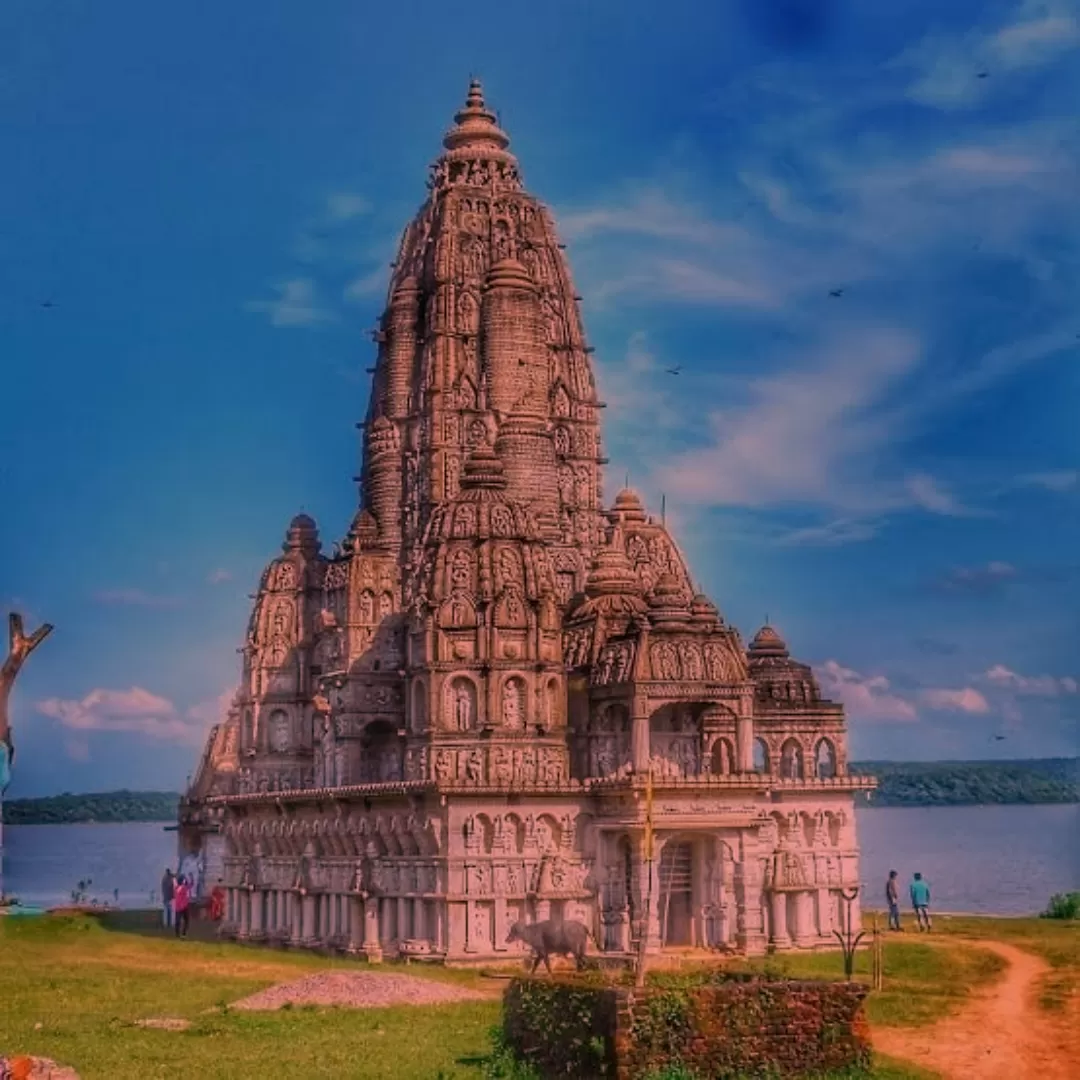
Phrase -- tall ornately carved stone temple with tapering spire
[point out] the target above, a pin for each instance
(448, 724)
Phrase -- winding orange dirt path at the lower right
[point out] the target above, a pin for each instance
(1001, 1035)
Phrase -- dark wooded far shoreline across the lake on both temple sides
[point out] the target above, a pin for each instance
(1024, 782)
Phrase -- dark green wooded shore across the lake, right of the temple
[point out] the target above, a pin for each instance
(973, 784)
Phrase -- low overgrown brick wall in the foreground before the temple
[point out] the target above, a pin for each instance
(713, 1025)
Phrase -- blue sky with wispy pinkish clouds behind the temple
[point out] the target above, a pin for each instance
(199, 207)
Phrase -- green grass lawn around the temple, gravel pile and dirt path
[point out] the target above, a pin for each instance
(72, 990)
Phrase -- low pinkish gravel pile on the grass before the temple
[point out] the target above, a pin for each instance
(360, 990)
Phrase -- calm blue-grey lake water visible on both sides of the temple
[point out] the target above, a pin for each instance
(993, 860)
